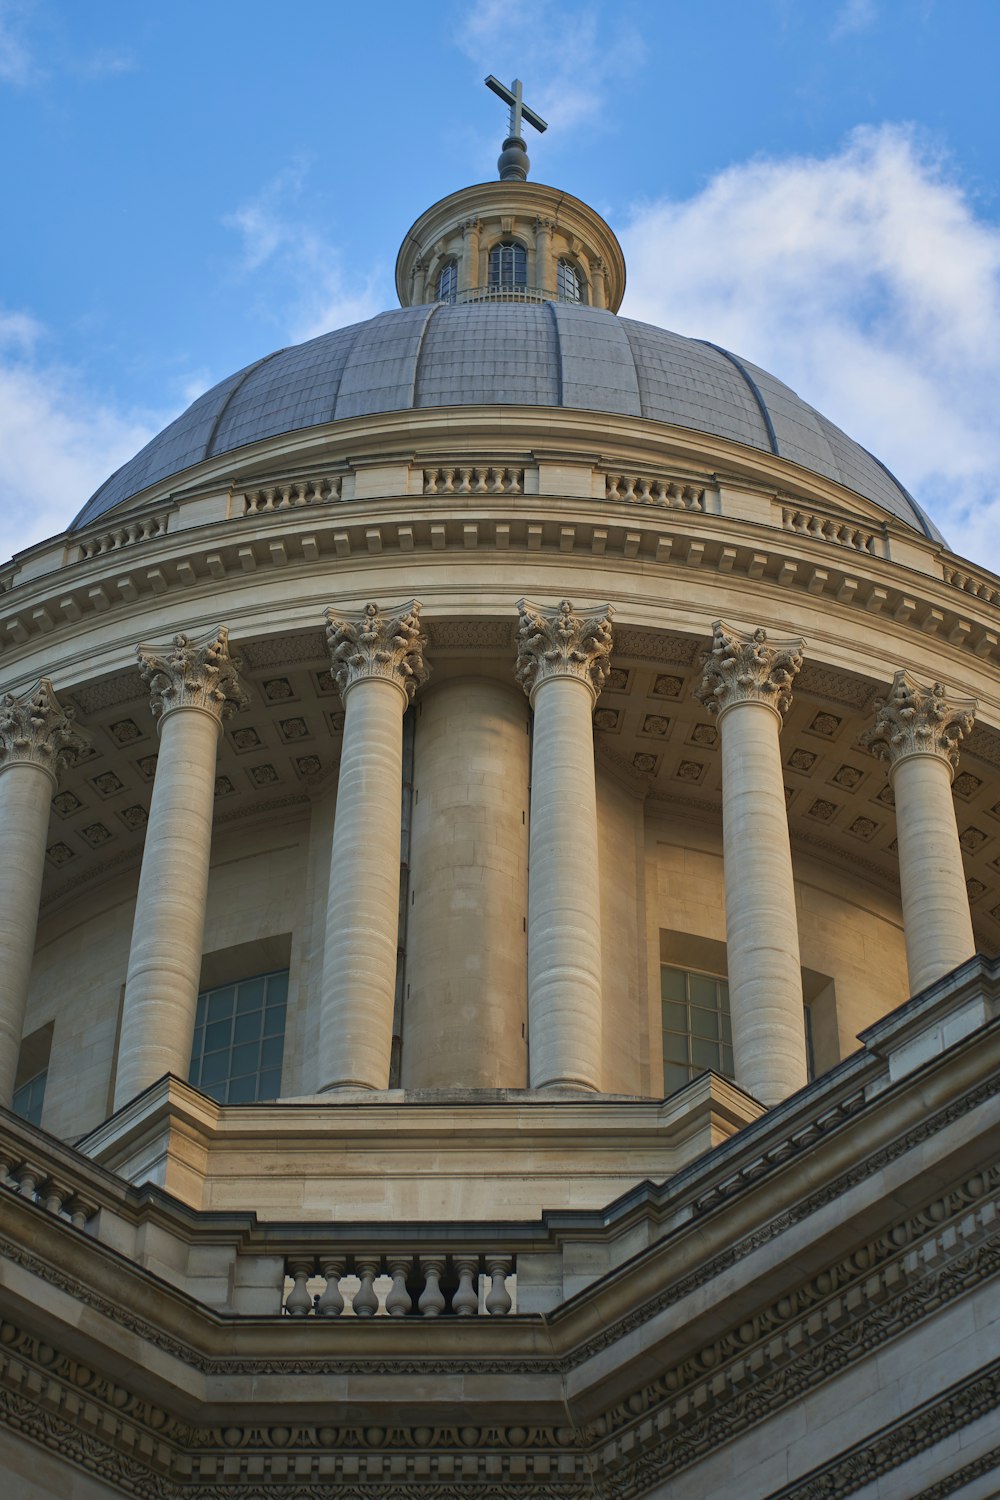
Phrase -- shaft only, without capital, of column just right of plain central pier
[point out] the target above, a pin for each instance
(564, 899)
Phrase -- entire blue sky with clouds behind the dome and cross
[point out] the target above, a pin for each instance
(187, 187)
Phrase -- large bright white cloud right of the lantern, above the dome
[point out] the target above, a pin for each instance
(870, 286)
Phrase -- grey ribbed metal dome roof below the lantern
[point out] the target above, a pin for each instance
(546, 355)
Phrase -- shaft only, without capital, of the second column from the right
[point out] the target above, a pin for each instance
(765, 980)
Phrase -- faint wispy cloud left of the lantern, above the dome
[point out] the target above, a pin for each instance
(298, 268)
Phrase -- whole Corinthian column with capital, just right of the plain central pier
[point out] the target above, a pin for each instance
(563, 662)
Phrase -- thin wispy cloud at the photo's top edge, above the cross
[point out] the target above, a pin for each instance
(570, 58)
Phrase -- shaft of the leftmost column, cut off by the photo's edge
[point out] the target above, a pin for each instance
(26, 796)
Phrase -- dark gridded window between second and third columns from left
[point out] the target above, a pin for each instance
(239, 1040)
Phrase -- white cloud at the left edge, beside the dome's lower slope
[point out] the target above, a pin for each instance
(58, 440)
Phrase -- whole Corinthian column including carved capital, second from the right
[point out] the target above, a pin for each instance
(749, 685)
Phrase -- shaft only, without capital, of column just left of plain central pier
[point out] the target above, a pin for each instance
(359, 973)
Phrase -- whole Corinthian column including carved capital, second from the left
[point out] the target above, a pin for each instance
(194, 686)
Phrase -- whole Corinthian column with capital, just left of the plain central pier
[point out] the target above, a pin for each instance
(379, 665)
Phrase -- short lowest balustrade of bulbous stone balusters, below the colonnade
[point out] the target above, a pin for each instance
(400, 1285)
